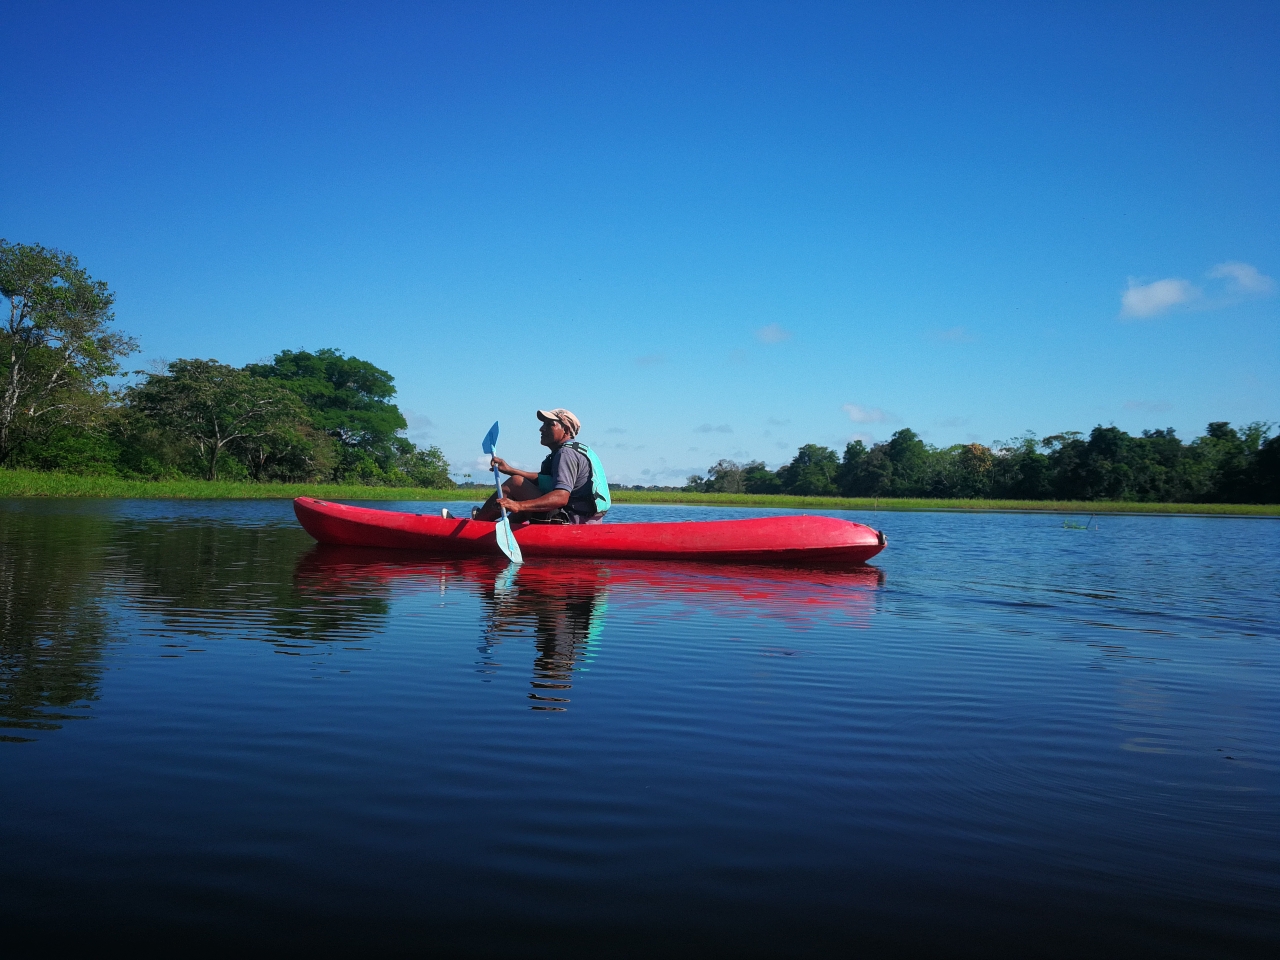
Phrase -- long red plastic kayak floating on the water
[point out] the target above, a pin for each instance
(794, 540)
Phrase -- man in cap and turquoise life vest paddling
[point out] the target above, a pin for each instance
(569, 488)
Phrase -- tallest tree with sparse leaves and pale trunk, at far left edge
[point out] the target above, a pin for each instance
(57, 346)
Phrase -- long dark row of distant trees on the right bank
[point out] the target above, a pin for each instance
(1227, 465)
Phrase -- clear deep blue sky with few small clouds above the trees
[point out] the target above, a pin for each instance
(710, 230)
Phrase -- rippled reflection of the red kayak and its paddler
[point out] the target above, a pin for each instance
(564, 606)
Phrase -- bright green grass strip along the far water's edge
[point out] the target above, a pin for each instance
(29, 483)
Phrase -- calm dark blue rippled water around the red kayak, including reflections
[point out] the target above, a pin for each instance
(1004, 739)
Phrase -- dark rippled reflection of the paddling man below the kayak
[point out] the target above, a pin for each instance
(564, 611)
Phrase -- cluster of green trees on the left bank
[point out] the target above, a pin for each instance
(305, 417)
